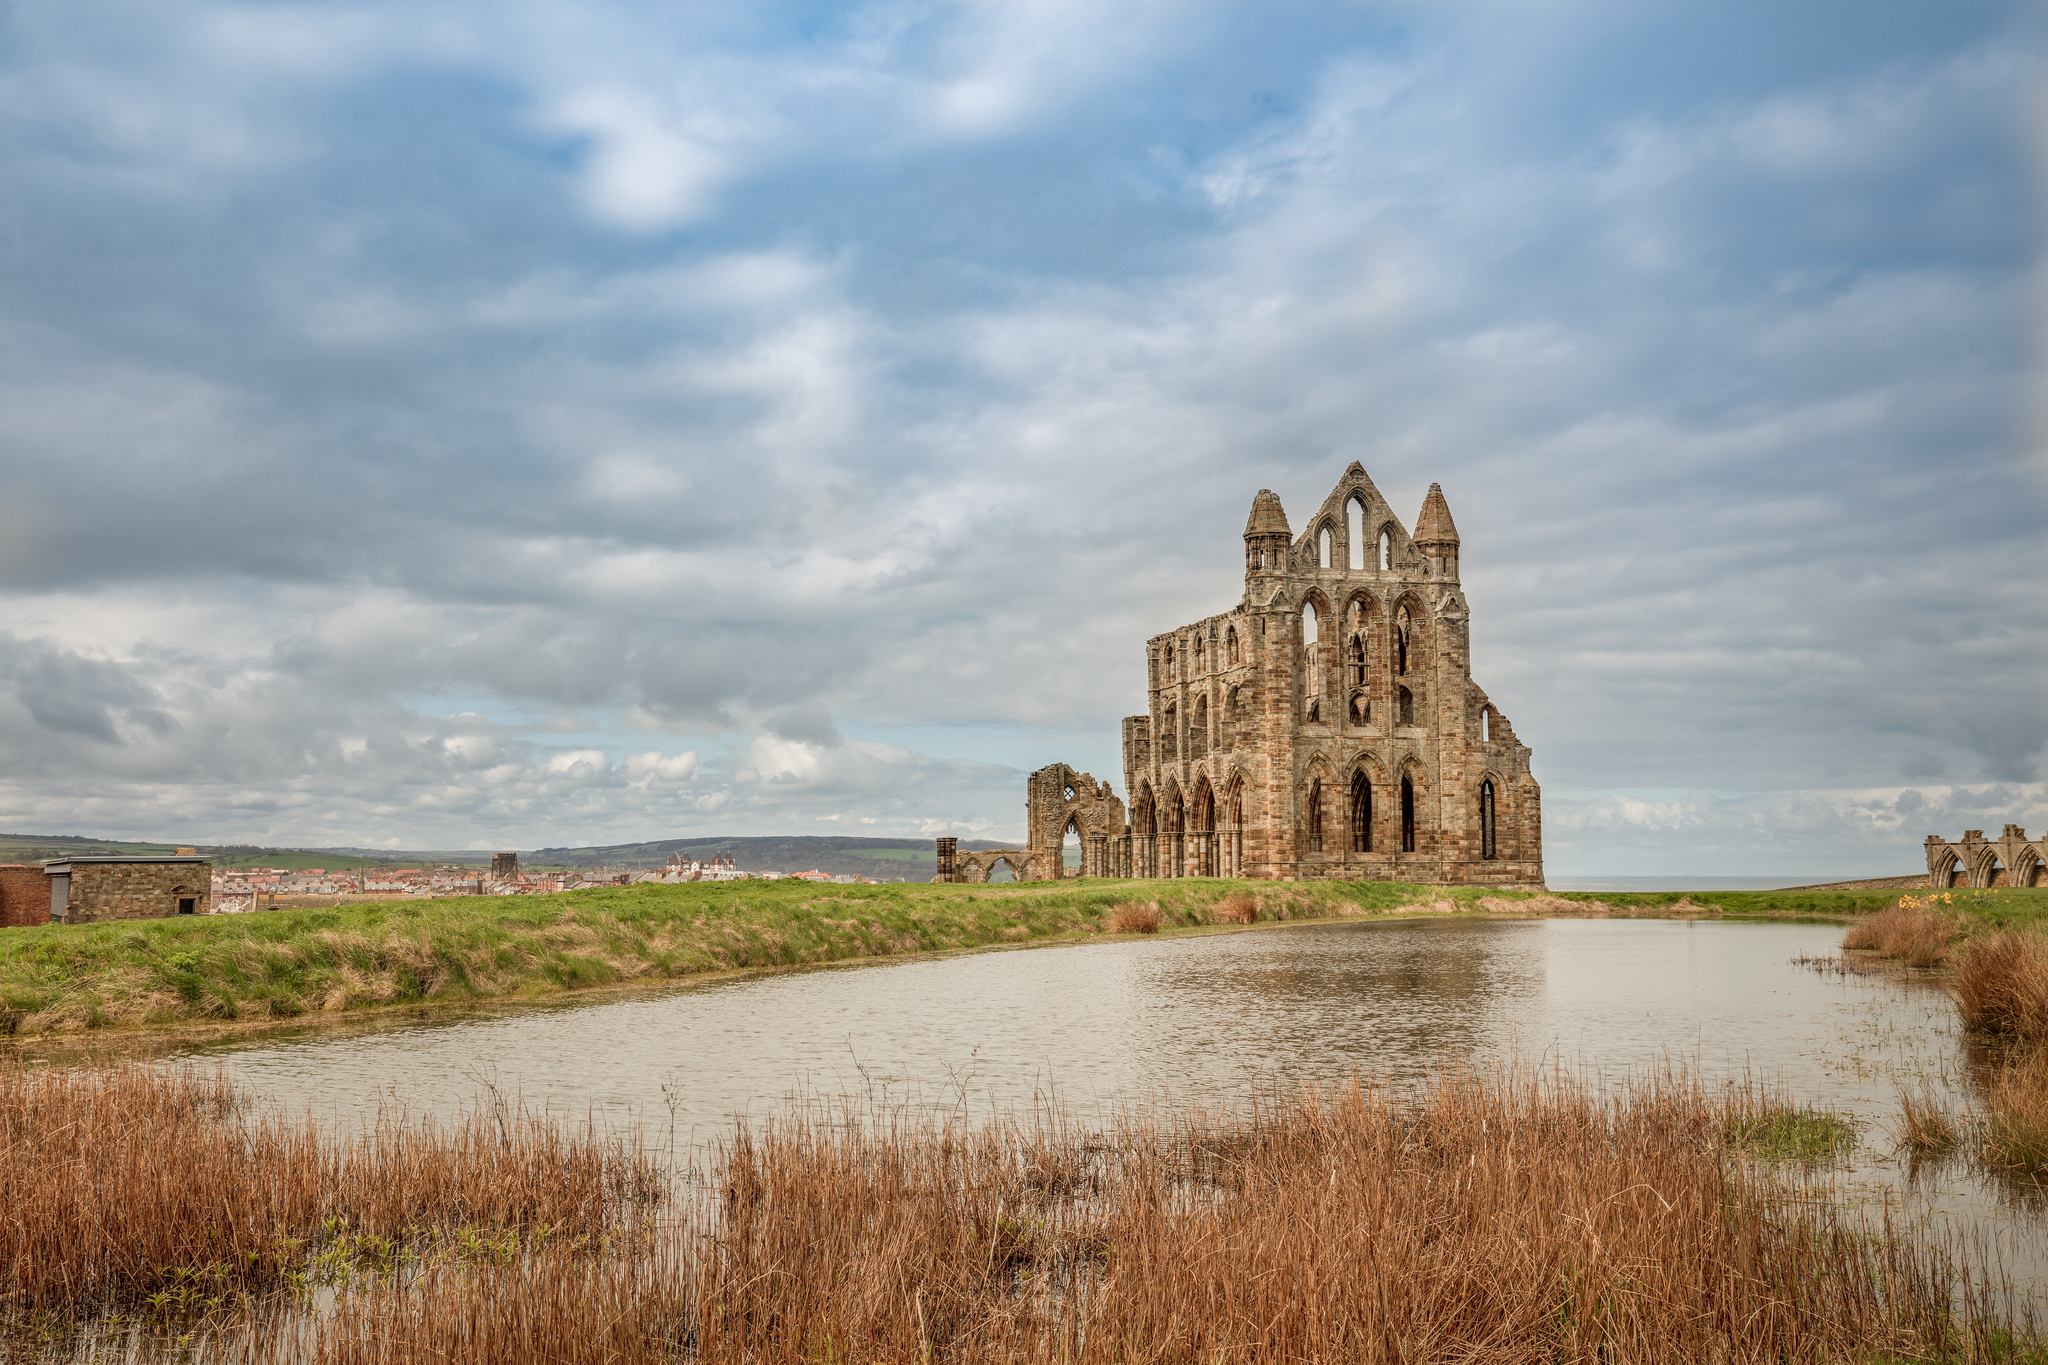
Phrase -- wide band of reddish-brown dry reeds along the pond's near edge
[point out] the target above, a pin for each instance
(1502, 1217)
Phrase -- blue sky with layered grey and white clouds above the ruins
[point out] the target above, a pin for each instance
(456, 425)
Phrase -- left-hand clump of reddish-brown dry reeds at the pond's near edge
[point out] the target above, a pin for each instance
(122, 1184)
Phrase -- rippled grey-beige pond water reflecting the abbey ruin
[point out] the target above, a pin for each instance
(1189, 1016)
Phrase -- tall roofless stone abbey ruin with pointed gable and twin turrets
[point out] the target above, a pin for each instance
(1328, 725)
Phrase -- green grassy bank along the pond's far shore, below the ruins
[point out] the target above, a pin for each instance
(288, 965)
